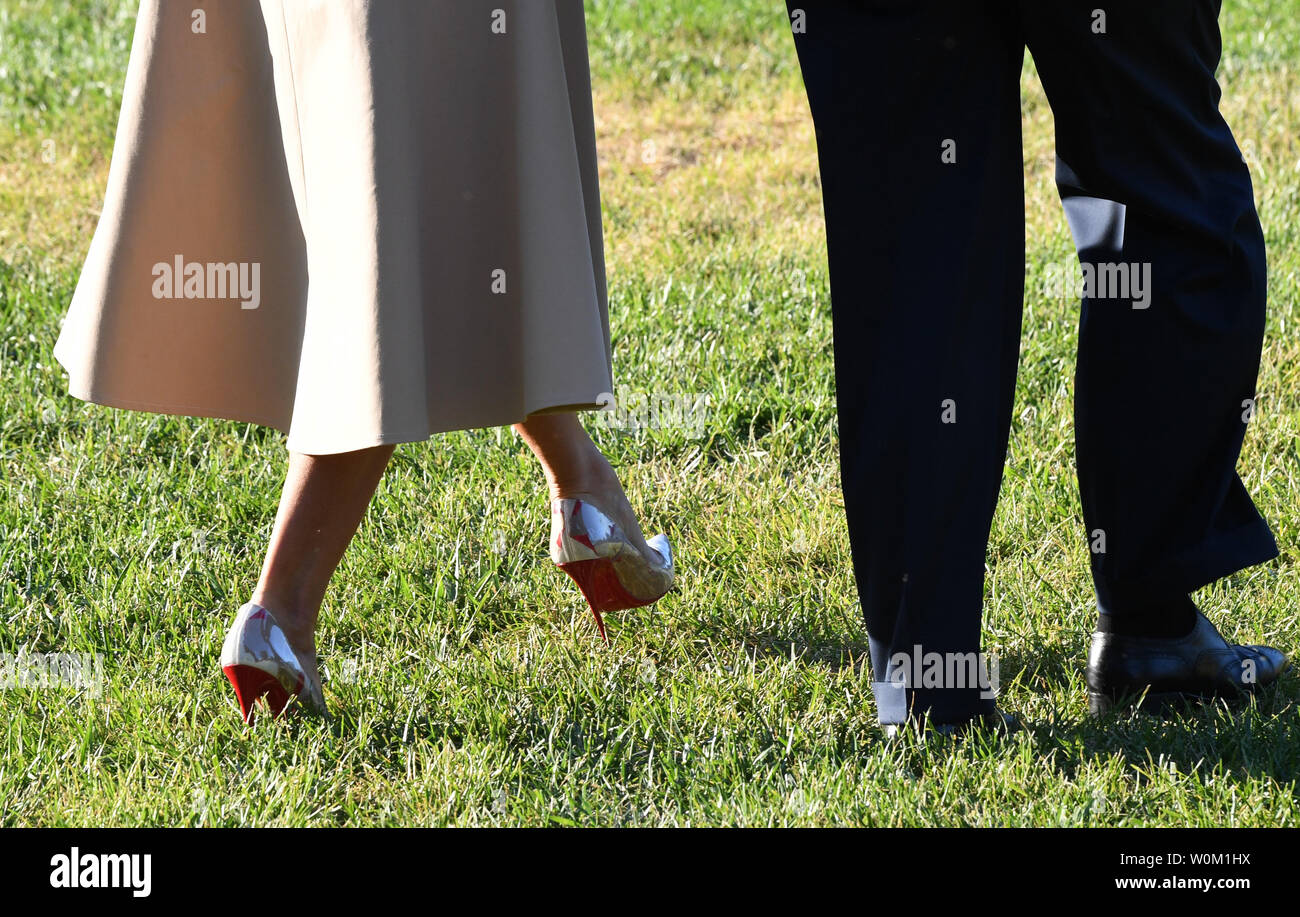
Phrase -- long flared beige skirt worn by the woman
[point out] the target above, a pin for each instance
(358, 222)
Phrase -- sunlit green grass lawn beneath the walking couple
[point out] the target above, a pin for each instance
(466, 676)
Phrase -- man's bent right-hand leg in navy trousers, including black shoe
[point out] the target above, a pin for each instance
(1171, 335)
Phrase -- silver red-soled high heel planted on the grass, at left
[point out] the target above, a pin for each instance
(258, 660)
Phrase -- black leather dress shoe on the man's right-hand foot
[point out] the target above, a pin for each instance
(1160, 673)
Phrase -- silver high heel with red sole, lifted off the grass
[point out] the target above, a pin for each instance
(608, 568)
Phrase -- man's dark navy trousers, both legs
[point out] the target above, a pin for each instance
(917, 107)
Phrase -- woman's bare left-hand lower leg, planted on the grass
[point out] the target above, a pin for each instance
(320, 511)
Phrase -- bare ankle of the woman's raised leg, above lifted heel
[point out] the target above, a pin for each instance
(575, 469)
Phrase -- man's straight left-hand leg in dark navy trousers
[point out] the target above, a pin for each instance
(918, 119)
